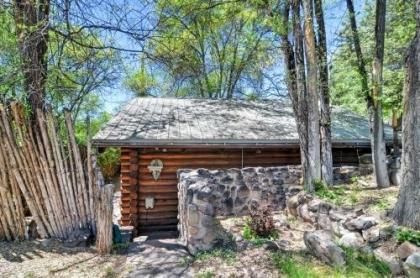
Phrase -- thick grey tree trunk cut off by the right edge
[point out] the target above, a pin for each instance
(407, 209)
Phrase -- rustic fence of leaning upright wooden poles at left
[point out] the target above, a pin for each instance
(43, 171)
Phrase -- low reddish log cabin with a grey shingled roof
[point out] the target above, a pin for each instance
(159, 136)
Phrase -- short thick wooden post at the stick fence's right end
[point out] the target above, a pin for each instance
(104, 220)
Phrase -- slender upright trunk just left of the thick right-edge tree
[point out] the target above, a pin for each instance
(377, 128)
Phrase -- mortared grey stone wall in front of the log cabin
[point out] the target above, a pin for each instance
(204, 194)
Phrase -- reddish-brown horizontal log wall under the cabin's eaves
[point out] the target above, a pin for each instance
(137, 181)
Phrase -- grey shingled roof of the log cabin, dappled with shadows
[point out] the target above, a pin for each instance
(168, 121)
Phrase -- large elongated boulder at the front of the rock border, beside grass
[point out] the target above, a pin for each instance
(321, 244)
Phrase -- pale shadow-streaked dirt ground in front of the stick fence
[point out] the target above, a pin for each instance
(33, 259)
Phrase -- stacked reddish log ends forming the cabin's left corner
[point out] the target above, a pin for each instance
(129, 187)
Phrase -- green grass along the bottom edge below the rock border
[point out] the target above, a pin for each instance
(302, 265)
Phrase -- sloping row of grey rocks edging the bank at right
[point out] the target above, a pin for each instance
(337, 227)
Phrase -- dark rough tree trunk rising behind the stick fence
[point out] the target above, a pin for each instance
(32, 19)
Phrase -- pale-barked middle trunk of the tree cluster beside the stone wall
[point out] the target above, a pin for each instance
(314, 152)
